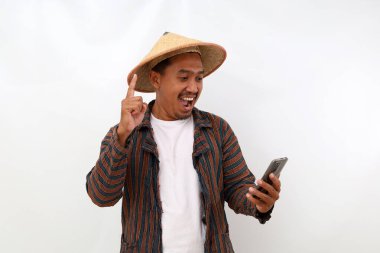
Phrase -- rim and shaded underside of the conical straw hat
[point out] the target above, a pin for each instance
(212, 55)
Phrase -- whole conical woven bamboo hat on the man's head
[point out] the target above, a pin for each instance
(171, 44)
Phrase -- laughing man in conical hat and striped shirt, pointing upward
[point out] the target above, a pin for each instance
(172, 164)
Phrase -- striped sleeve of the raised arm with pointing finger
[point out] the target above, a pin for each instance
(104, 183)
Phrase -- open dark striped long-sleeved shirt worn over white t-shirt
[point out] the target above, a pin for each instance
(130, 172)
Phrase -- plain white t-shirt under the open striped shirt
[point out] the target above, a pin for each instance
(182, 227)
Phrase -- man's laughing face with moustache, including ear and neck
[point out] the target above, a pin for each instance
(178, 87)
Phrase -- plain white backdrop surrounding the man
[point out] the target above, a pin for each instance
(301, 80)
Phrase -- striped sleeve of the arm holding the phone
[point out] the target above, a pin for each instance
(237, 177)
